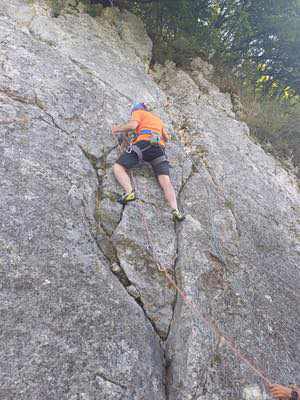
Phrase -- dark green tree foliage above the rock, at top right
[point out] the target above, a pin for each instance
(235, 32)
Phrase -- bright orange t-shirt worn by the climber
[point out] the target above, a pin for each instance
(147, 120)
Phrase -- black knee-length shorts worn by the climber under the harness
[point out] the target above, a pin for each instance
(130, 160)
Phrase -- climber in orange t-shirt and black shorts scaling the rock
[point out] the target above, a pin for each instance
(147, 136)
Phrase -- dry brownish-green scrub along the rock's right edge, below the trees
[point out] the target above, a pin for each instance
(273, 118)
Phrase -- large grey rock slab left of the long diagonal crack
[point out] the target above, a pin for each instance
(69, 328)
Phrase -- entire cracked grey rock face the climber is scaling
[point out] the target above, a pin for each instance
(85, 312)
